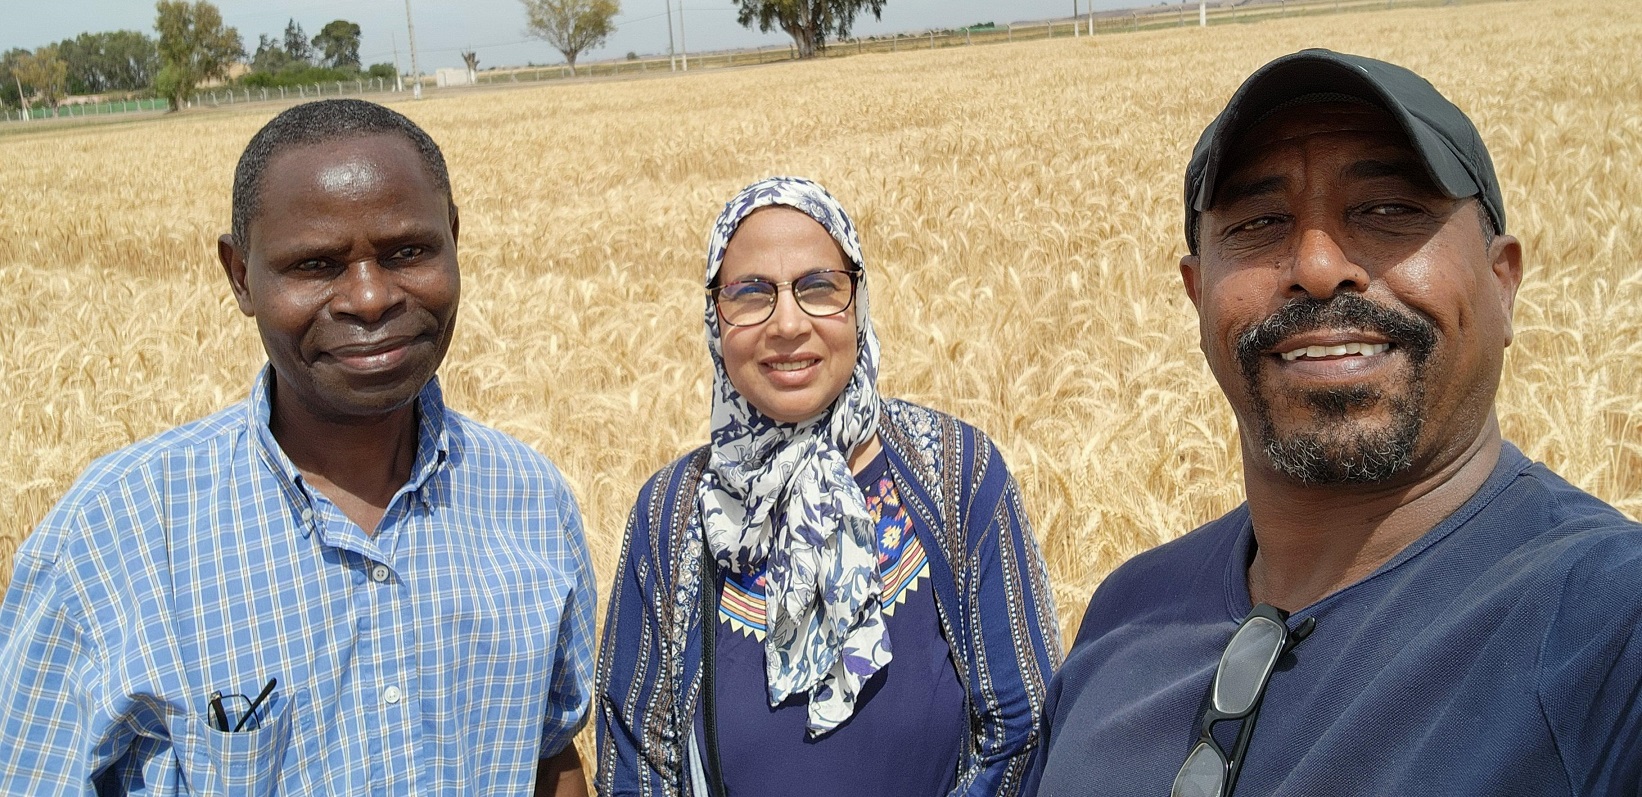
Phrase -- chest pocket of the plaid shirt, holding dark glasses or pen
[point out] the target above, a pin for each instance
(245, 763)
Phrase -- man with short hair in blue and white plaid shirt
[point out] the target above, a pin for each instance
(337, 586)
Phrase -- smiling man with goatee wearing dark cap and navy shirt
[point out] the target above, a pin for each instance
(1405, 606)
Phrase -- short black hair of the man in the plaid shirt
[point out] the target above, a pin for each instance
(319, 122)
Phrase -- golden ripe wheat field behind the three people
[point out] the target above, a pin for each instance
(1022, 219)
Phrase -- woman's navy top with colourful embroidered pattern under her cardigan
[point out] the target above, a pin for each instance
(910, 721)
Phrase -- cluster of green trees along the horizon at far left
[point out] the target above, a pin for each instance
(193, 48)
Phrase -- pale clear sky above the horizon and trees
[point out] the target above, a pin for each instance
(495, 29)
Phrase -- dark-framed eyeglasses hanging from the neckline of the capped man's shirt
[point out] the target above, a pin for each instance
(1236, 694)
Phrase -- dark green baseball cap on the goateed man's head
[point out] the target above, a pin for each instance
(1441, 134)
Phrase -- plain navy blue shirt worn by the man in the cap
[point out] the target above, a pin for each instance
(1497, 655)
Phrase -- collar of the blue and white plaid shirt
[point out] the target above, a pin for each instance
(433, 448)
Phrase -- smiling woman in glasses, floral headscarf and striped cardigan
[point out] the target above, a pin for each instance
(840, 594)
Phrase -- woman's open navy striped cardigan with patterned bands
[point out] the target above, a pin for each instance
(989, 584)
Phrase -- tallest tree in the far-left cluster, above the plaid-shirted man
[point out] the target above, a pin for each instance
(195, 47)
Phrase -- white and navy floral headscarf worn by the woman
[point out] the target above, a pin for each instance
(782, 494)
